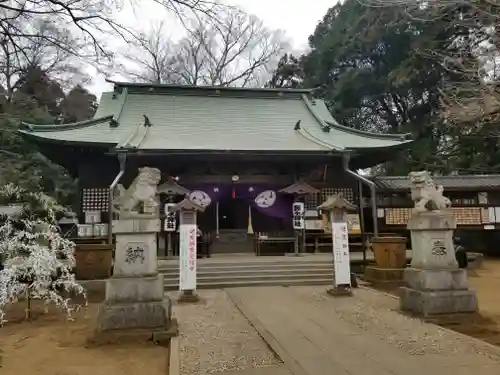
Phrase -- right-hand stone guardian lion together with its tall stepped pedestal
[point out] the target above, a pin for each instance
(434, 283)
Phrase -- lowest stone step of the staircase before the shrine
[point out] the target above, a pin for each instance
(250, 283)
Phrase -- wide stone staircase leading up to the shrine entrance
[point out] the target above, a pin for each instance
(240, 271)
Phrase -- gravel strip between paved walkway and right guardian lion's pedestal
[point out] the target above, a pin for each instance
(378, 314)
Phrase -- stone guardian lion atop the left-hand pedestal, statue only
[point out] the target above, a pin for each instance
(140, 198)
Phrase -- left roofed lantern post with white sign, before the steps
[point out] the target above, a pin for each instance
(188, 232)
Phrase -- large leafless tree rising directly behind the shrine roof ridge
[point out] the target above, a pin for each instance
(230, 49)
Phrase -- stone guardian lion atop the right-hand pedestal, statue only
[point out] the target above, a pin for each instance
(426, 195)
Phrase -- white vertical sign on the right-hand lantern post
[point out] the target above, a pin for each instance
(341, 262)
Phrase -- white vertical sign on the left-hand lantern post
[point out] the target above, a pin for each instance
(187, 256)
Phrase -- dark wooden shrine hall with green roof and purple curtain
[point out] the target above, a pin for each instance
(244, 154)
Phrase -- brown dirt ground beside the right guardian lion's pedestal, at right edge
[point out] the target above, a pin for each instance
(486, 324)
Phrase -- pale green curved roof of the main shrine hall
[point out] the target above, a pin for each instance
(190, 118)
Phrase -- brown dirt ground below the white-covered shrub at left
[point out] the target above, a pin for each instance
(51, 345)
